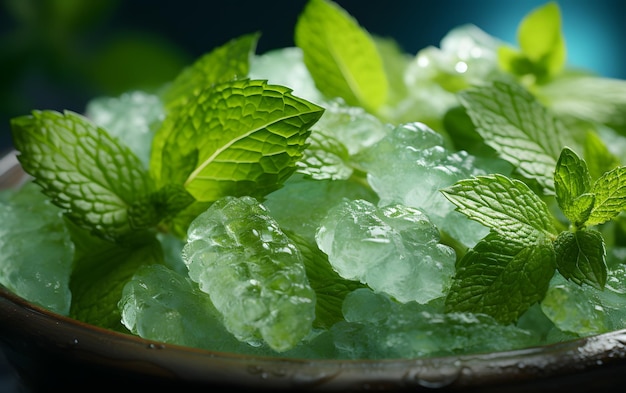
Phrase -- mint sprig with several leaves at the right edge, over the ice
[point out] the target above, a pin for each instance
(509, 270)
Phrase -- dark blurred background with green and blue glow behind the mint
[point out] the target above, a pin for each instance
(57, 54)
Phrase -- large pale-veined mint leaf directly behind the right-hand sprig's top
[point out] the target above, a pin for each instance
(518, 127)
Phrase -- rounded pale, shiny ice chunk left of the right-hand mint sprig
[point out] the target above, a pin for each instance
(393, 249)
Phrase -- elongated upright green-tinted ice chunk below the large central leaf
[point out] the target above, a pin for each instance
(253, 273)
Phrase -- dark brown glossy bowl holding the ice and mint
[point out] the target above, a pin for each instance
(50, 351)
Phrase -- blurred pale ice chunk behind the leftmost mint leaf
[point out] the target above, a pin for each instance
(132, 117)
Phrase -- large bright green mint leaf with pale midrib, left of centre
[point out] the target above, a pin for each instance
(241, 137)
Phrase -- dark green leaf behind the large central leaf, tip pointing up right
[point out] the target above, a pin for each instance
(227, 62)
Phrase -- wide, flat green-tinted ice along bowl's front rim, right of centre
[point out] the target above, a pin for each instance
(376, 327)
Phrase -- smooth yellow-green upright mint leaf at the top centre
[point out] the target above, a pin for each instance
(341, 56)
